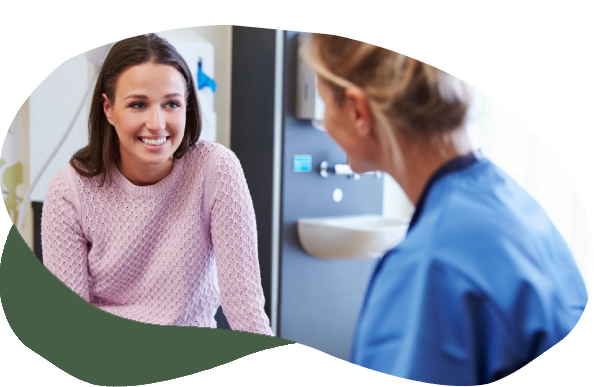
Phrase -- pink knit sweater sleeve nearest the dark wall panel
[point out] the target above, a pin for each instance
(234, 236)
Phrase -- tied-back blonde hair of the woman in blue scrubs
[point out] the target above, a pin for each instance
(403, 94)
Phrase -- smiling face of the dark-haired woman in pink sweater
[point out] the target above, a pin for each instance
(149, 115)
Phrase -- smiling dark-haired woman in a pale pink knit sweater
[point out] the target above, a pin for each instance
(148, 222)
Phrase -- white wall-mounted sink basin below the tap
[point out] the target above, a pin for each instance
(350, 237)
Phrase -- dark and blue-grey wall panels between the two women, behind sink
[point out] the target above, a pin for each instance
(312, 301)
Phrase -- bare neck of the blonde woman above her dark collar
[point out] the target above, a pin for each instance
(422, 159)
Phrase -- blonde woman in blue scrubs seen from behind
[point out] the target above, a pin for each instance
(483, 290)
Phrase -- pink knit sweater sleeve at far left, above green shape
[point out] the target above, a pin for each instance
(64, 245)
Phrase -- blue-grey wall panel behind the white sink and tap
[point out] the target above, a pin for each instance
(320, 299)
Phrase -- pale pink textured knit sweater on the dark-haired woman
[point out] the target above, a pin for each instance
(168, 253)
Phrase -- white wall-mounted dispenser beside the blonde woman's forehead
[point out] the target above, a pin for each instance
(309, 104)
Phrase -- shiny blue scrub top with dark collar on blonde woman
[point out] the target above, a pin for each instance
(482, 289)
